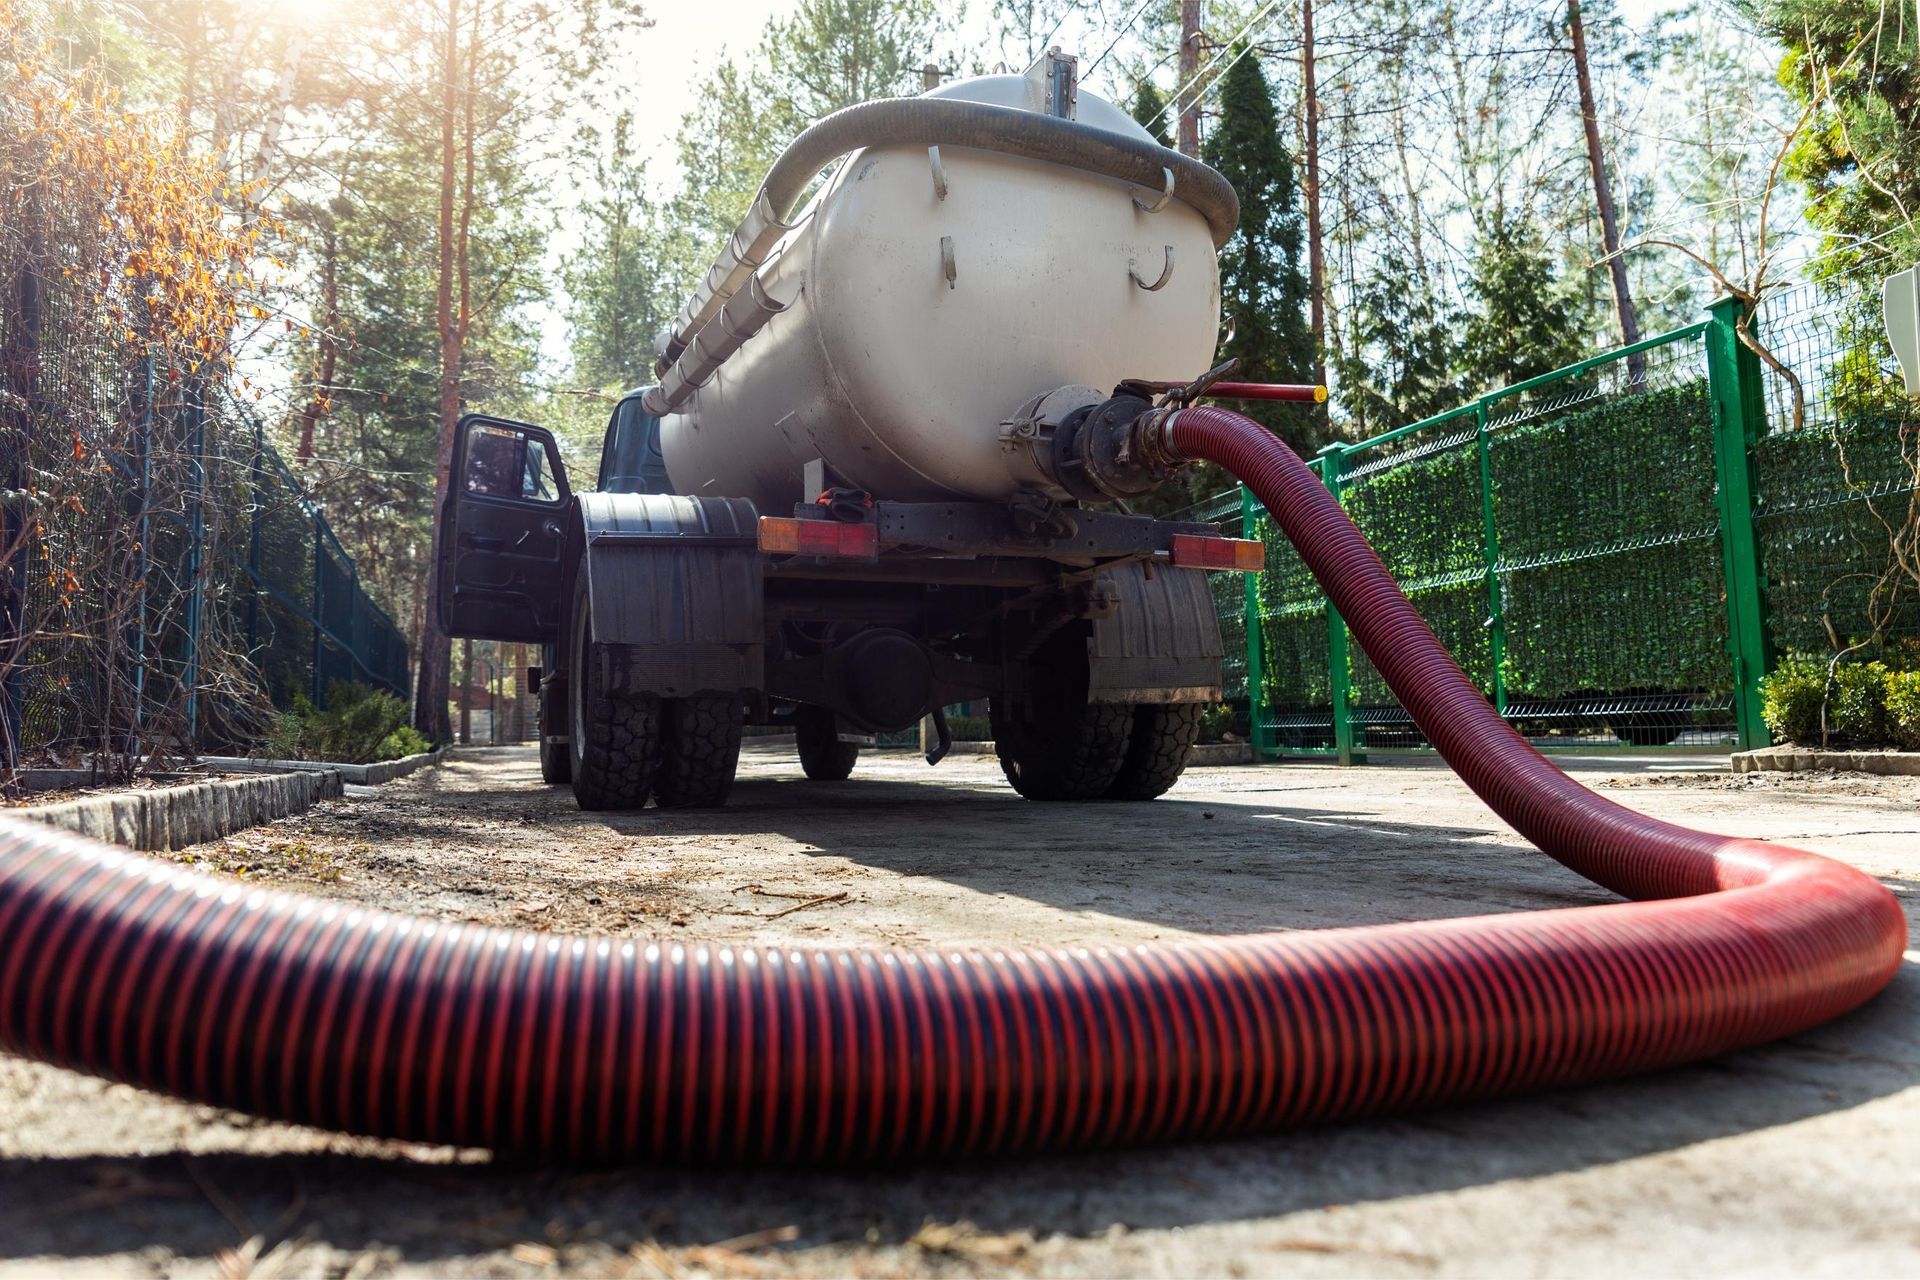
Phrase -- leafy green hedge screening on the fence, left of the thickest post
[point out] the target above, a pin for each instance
(1610, 556)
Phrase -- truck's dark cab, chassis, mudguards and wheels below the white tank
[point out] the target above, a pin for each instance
(675, 621)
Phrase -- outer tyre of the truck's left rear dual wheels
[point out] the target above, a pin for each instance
(613, 738)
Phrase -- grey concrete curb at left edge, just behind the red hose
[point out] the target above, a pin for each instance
(178, 817)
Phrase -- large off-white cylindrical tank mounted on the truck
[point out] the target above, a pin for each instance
(917, 323)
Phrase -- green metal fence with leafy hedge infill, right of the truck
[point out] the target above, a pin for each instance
(1616, 552)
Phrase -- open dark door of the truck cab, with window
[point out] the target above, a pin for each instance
(502, 536)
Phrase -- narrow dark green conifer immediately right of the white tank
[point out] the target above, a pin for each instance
(1264, 291)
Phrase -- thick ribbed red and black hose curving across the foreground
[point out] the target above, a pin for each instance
(327, 1014)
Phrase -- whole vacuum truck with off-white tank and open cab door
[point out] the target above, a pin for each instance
(882, 469)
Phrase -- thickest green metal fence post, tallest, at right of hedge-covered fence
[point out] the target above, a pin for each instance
(1739, 410)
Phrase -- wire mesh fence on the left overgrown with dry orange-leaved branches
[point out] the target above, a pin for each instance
(164, 581)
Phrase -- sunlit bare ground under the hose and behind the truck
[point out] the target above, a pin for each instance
(1792, 1160)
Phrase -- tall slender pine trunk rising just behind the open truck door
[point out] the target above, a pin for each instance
(437, 650)
